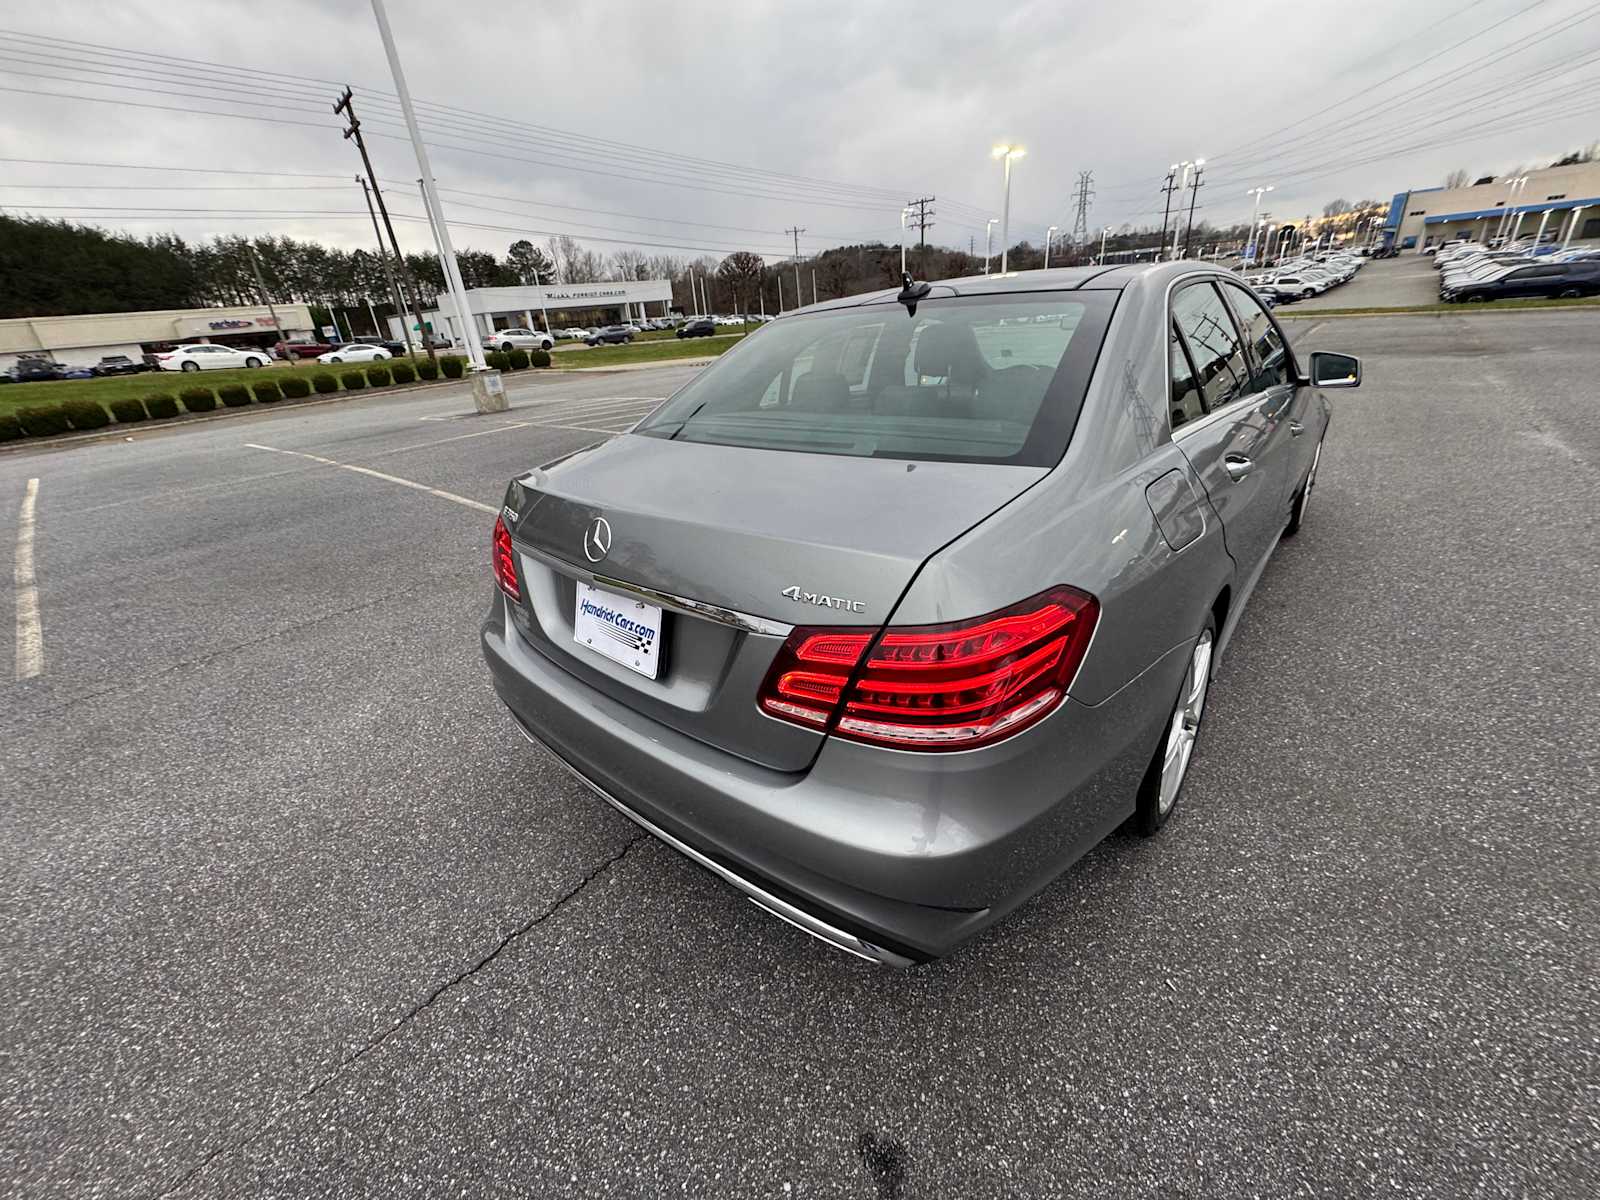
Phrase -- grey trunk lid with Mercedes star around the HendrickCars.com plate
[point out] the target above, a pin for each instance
(735, 534)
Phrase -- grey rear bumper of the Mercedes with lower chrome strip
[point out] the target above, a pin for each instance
(892, 857)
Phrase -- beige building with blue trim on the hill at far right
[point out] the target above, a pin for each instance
(1559, 204)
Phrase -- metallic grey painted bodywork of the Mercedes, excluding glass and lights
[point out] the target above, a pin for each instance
(890, 854)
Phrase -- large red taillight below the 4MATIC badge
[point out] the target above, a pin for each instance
(935, 687)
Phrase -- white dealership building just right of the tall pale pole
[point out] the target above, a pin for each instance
(554, 306)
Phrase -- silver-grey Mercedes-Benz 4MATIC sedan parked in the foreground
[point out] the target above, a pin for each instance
(911, 599)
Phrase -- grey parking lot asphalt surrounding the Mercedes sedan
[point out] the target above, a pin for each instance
(292, 911)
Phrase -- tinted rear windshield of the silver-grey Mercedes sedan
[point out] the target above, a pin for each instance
(972, 380)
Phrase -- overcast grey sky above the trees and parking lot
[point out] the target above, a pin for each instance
(826, 114)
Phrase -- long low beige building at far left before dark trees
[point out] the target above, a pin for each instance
(86, 338)
